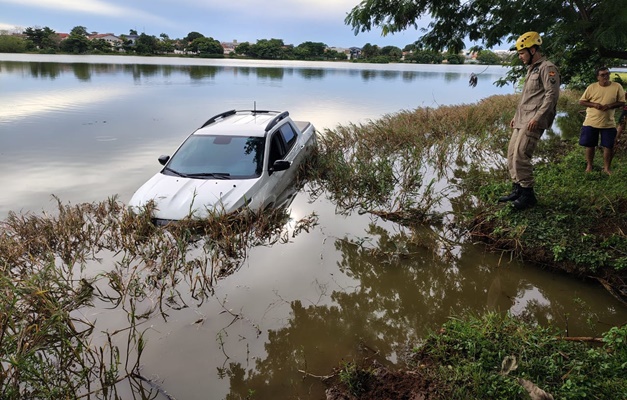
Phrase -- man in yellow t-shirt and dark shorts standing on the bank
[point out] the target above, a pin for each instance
(601, 99)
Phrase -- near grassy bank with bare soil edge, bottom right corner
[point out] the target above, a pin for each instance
(495, 356)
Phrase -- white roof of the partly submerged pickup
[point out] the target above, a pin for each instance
(238, 123)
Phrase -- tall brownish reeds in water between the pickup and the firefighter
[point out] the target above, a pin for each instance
(402, 165)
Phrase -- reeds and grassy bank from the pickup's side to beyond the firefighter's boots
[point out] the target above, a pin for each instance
(446, 167)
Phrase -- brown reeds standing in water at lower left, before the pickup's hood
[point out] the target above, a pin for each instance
(52, 269)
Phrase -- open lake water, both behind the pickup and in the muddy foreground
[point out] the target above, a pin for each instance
(86, 128)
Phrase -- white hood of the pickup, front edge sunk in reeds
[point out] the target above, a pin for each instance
(178, 197)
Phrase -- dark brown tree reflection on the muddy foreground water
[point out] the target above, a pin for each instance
(403, 291)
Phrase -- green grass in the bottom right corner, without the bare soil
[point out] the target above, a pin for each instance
(466, 360)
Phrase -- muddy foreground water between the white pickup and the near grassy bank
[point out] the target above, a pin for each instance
(341, 292)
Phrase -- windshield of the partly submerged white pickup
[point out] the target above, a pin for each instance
(218, 157)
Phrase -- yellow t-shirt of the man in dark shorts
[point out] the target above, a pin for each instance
(596, 93)
